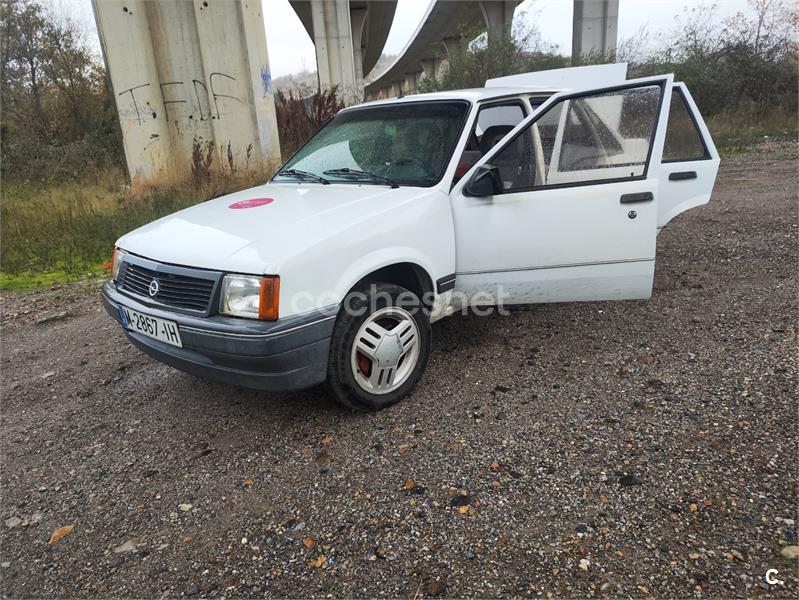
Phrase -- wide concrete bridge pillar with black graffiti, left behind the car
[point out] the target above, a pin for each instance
(189, 77)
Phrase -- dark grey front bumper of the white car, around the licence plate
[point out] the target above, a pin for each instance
(282, 355)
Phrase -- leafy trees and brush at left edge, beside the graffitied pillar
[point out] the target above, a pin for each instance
(58, 119)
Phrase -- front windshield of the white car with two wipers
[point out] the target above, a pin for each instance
(398, 144)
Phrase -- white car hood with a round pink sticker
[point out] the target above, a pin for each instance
(257, 230)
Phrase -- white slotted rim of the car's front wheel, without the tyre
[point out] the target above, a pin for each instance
(385, 351)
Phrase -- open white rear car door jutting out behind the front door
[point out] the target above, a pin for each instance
(690, 160)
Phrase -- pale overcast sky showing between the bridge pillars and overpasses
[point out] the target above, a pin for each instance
(291, 50)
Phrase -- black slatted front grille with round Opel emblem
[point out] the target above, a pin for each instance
(180, 291)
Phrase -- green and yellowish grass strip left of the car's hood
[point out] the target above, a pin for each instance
(68, 230)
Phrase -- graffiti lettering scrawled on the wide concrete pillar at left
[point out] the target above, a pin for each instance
(204, 99)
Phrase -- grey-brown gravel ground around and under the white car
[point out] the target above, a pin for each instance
(631, 449)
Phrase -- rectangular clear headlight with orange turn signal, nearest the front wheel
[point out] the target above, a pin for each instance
(251, 297)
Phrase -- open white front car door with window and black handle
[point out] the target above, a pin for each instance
(577, 215)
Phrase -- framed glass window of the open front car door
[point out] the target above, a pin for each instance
(582, 139)
